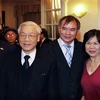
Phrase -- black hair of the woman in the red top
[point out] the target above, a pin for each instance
(89, 34)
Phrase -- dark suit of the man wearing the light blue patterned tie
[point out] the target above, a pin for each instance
(69, 78)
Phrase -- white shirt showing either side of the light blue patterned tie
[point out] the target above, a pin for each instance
(61, 44)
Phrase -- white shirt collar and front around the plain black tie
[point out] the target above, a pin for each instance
(31, 59)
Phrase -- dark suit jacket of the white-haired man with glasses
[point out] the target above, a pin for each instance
(42, 84)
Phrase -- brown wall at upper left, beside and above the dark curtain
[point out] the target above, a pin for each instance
(9, 8)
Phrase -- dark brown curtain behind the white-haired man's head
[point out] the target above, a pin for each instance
(28, 12)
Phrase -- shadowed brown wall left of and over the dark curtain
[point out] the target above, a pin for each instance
(8, 7)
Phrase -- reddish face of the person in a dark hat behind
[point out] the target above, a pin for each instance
(11, 36)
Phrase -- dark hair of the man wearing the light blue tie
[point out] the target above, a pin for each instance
(68, 19)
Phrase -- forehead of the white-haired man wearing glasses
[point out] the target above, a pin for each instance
(28, 29)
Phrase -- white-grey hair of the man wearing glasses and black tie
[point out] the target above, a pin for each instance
(38, 29)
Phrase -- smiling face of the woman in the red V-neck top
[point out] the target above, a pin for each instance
(92, 47)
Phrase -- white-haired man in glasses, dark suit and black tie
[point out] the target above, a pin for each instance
(26, 74)
